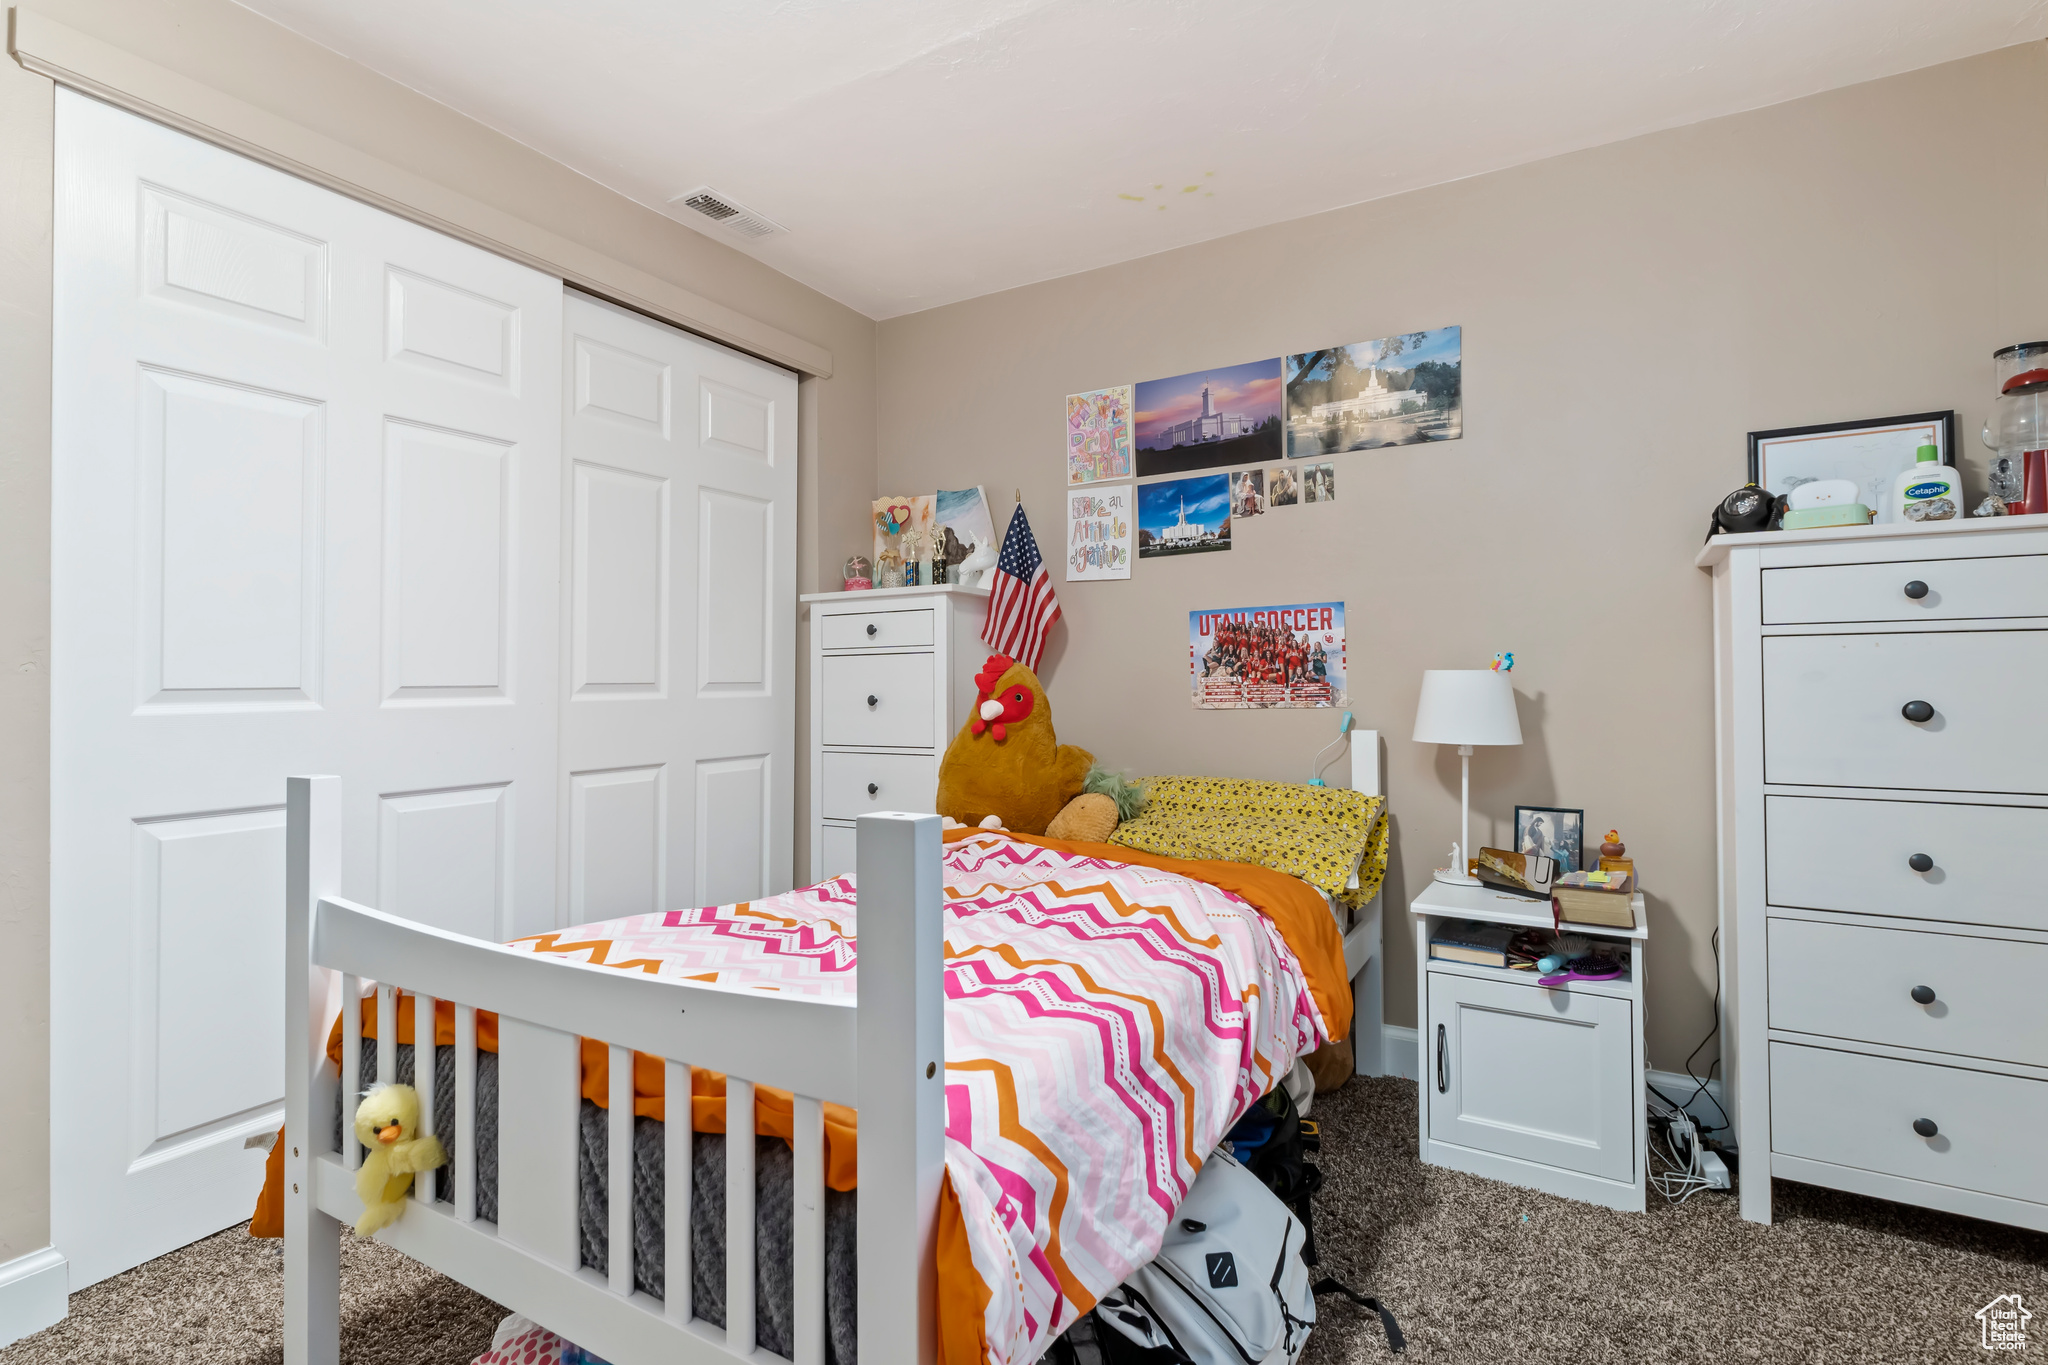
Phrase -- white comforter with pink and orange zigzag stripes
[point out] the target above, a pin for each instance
(1105, 1028)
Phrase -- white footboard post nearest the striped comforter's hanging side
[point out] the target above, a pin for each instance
(902, 1086)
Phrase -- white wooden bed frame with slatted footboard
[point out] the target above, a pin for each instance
(882, 1057)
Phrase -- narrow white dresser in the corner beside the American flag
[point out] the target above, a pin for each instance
(892, 682)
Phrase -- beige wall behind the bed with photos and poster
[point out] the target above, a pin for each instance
(1629, 314)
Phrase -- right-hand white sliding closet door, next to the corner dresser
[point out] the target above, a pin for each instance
(679, 725)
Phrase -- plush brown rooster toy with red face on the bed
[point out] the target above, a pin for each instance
(1007, 762)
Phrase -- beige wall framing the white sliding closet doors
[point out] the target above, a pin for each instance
(267, 67)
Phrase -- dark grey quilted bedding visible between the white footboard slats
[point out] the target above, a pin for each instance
(773, 1198)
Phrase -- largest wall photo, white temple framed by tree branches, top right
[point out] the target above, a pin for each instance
(1396, 392)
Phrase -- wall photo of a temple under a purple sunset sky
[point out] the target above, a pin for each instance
(1211, 419)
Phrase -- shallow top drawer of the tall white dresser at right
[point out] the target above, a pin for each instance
(1949, 590)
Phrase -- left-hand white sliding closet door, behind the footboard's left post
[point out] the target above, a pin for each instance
(306, 519)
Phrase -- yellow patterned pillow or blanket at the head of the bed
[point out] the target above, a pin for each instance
(1312, 832)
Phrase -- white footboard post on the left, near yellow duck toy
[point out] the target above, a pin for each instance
(312, 1239)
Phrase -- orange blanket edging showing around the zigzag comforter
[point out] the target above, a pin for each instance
(1297, 910)
